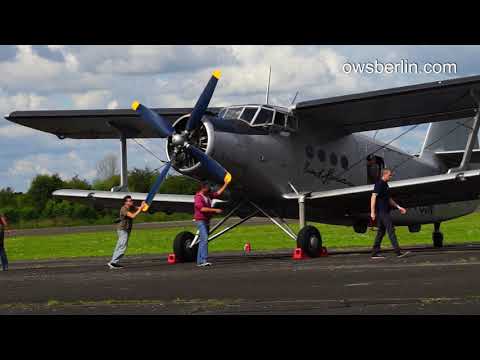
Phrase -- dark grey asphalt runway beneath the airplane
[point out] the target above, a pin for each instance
(430, 281)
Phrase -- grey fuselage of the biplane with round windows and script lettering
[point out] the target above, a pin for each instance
(315, 158)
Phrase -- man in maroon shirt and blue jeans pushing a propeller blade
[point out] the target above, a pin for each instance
(203, 212)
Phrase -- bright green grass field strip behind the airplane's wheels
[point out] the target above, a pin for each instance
(261, 237)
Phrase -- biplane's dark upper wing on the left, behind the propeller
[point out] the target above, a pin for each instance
(94, 124)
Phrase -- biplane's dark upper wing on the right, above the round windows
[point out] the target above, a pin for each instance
(409, 105)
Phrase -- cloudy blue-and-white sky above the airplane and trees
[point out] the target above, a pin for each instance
(97, 77)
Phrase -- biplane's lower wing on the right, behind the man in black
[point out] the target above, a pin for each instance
(423, 191)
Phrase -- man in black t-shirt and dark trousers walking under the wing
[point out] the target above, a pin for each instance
(380, 206)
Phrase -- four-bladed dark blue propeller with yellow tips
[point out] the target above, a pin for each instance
(164, 129)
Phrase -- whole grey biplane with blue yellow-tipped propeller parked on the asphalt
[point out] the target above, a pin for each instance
(308, 161)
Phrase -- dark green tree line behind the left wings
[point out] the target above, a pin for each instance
(38, 208)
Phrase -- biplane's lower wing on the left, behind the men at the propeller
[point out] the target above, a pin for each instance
(168, 203)
